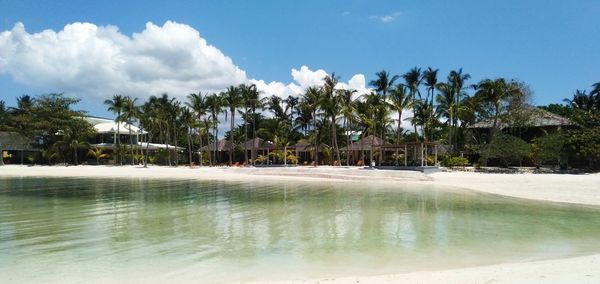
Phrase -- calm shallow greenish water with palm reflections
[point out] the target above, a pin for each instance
(82, 230)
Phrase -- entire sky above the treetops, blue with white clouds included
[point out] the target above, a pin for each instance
(95, 49)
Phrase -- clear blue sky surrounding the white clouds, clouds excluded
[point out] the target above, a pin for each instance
(551, 45)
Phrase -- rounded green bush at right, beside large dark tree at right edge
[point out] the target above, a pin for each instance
(547, 148)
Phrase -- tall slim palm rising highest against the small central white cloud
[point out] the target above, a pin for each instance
(329, 103)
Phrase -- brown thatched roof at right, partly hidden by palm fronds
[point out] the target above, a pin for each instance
(537, 118)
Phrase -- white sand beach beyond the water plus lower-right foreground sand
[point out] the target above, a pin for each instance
(581, 189)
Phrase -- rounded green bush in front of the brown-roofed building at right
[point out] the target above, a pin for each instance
(509, 149)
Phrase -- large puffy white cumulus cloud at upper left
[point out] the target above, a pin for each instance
(85, 59)
